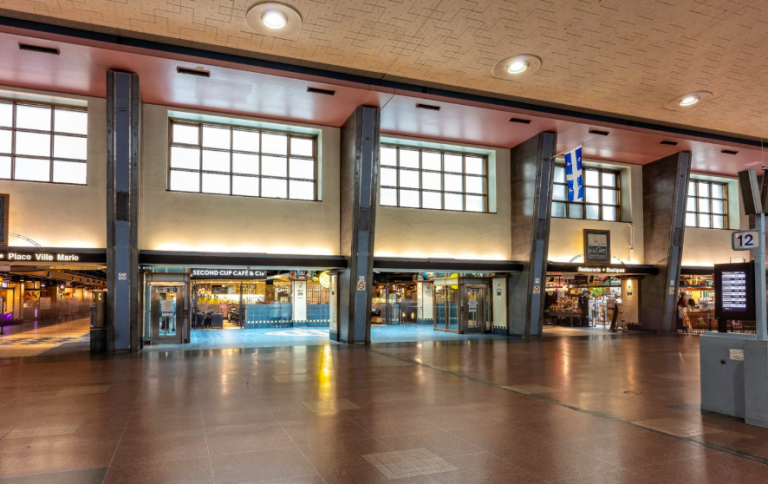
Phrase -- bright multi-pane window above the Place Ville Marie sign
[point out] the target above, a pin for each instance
(43, 142)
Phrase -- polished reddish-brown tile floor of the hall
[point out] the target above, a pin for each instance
(581, 409)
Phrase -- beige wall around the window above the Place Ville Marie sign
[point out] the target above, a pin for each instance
(56, 215)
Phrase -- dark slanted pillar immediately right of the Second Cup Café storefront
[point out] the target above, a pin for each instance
(359, 178)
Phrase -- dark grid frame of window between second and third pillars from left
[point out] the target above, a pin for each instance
(420, 170)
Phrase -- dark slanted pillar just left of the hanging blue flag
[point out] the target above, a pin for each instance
(532, 166)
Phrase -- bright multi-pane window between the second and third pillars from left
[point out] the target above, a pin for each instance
(438, 180)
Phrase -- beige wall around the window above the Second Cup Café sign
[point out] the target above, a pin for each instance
(219, 223)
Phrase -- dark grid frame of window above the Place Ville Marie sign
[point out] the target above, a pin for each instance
(50, 159)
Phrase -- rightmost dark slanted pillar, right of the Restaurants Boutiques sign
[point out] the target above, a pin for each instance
(665, 189)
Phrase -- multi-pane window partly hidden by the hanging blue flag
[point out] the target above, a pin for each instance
(602, 195)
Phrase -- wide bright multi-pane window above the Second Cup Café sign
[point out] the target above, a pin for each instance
(234, 160)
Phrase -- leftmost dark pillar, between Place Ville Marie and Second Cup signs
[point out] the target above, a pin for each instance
(123, 162)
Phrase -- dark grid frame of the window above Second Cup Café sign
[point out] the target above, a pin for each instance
(232, 127)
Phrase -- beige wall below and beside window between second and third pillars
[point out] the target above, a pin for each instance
(419, 233)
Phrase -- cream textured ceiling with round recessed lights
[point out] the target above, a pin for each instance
(616, 56)
